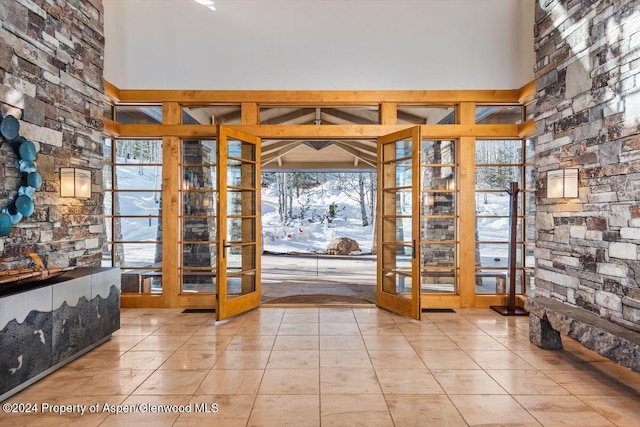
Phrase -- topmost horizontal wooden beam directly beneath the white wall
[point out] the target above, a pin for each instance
(320, 97)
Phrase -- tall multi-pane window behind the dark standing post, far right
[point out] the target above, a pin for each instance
(498, 163)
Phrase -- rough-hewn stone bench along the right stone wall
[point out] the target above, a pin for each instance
(549, 318)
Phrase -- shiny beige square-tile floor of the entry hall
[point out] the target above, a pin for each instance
(333, 367)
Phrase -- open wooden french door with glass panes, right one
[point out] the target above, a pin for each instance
(398, 285)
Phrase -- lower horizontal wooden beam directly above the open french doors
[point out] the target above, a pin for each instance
(319, 131)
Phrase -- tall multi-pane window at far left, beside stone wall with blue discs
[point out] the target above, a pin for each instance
(133, 209)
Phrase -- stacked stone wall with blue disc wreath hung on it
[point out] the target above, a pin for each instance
(51, 79)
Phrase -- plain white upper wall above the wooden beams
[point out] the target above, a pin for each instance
(319, 44)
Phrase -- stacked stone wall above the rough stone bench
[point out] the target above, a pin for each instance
(588, 112)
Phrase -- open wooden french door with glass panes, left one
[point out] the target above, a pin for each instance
(239, 222)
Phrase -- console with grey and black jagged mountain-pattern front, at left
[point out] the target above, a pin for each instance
(44, 325)
